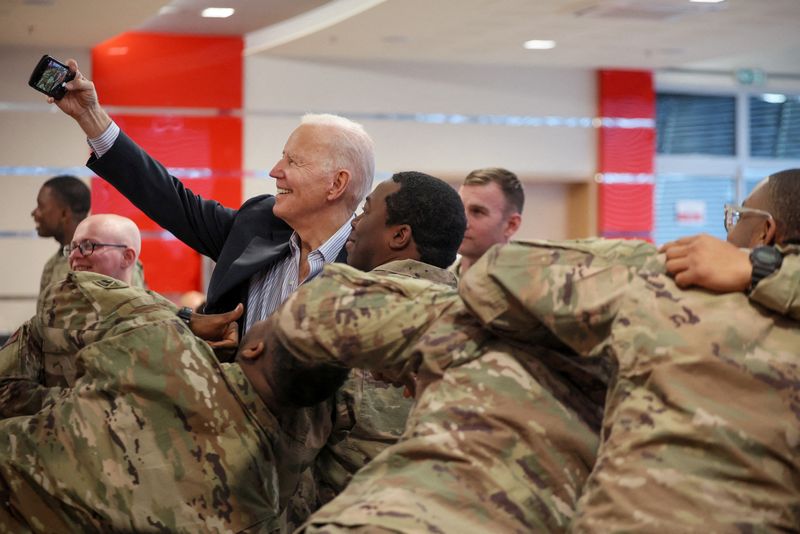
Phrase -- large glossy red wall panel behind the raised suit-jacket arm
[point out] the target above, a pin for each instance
(174, 71)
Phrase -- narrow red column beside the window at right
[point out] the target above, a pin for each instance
(626, 153)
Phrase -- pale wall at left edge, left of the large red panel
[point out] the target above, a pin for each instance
(30, 136)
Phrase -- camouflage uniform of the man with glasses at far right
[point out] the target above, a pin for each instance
(700, 429)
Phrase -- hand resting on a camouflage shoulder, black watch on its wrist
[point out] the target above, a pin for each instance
(708, 262)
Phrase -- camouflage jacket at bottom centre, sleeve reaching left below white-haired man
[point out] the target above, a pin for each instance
(493, 442)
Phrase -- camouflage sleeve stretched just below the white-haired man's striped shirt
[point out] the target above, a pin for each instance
(358, 319)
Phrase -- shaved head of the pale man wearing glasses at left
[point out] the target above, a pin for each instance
(115, 244)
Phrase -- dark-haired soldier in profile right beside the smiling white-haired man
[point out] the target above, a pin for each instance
(411, 225)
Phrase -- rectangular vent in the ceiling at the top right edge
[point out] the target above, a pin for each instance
(653, 10)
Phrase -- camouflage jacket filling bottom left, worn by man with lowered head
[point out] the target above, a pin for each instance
(154, 436)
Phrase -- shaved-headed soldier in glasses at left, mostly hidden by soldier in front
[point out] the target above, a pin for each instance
(111, 246)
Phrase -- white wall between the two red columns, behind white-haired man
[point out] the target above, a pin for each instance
(548, 159)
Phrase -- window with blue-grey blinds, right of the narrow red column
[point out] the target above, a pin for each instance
(714, 148)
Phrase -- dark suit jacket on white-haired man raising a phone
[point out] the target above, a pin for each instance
(241, 241)
